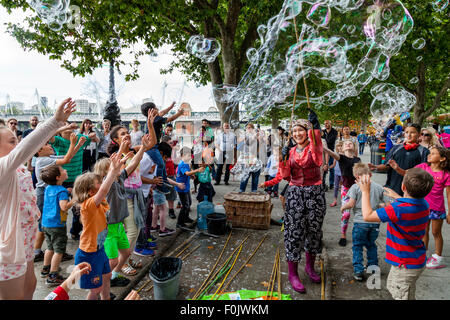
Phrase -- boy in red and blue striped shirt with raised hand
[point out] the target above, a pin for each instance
(407, 219)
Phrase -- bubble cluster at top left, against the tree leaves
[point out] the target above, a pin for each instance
(54, 12)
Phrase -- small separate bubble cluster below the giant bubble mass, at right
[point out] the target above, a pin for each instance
(389, 101)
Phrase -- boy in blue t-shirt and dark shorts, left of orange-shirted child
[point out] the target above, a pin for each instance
(54, 216)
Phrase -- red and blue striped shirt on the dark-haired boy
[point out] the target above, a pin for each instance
(407, 220)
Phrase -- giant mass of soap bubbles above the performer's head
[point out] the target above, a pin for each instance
(337, 46)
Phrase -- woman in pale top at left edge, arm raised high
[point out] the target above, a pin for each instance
(18, 211)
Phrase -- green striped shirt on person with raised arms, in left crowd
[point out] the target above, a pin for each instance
(75, 166)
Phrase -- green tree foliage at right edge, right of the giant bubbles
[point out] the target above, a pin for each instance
(433, 71)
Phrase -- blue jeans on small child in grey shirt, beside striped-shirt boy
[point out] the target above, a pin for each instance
(364, 235)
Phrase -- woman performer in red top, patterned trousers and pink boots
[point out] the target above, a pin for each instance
(305, 199)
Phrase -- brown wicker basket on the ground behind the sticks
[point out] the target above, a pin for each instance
(248, 210)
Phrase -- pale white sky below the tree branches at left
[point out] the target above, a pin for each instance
(22, 72)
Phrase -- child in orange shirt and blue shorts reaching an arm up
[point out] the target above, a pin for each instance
(91, 192)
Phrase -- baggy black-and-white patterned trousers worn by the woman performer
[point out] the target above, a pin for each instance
(303, 219)
